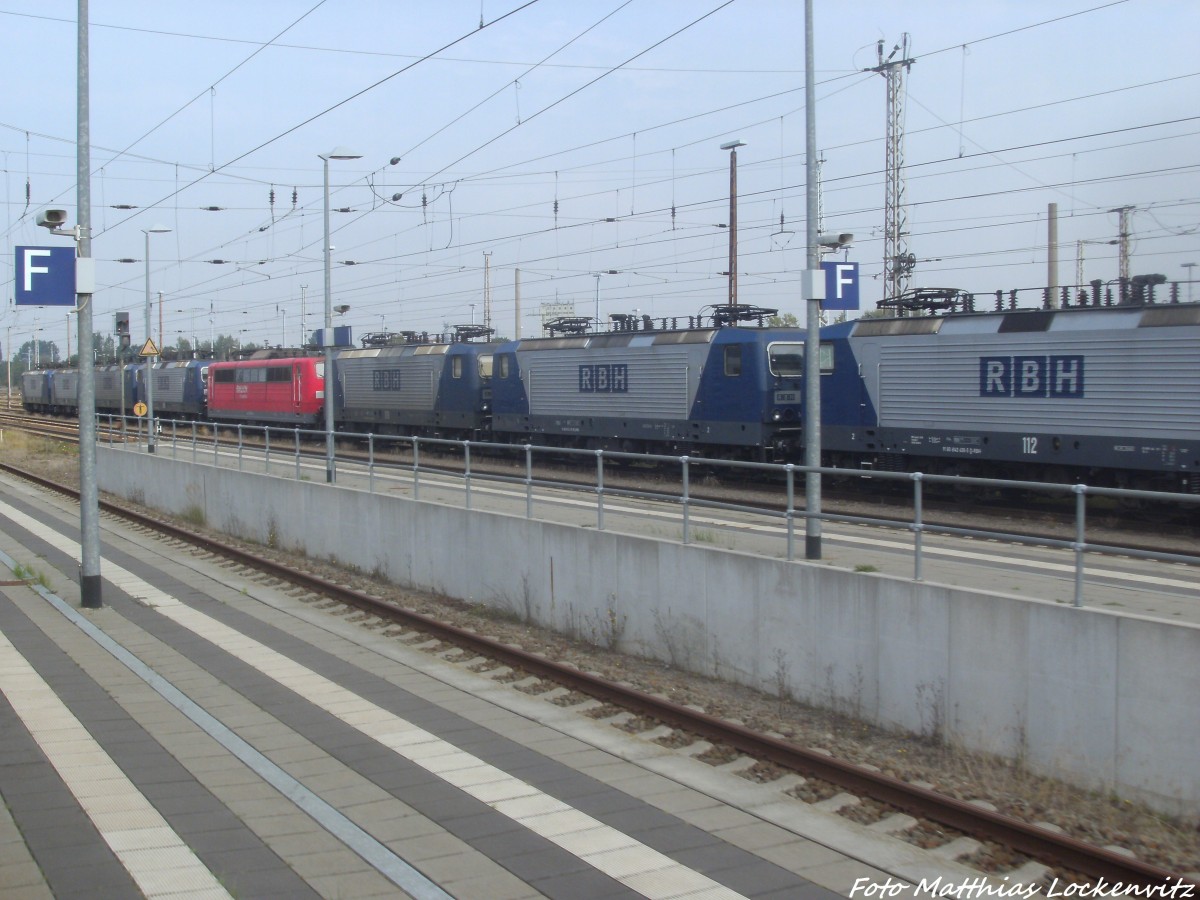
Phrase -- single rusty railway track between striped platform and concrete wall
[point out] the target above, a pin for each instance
(929, 808)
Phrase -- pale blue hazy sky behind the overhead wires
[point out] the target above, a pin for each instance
(572, 139)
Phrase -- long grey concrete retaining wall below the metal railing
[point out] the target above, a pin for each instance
(1101, 700)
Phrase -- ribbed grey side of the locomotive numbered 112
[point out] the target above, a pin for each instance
(1055, 392)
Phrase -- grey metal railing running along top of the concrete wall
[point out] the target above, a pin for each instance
(387, 455)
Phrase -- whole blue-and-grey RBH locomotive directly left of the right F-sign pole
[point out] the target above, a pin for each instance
(731, 392)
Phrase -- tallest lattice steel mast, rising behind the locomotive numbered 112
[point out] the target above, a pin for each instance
(898, 262)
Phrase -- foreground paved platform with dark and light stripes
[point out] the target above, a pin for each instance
(207, 735)
